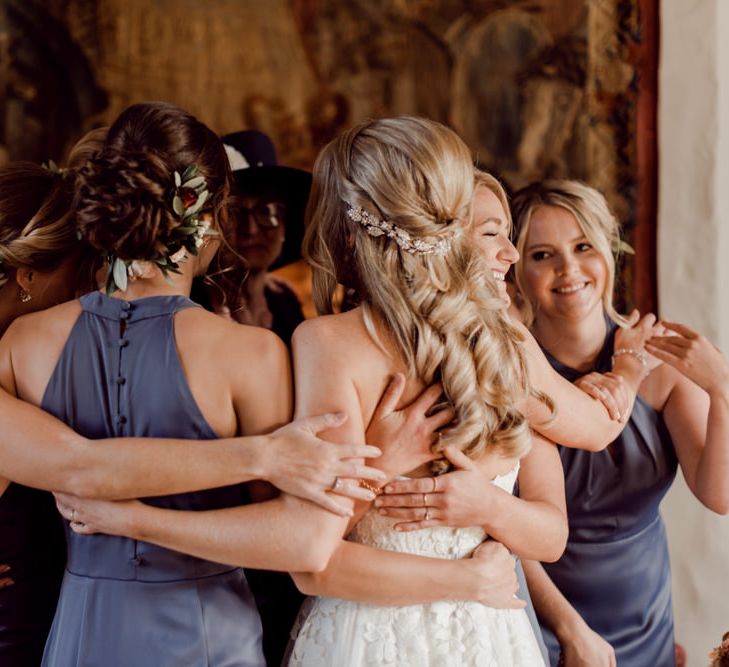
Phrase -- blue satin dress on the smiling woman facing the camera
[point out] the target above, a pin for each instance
(615, 570)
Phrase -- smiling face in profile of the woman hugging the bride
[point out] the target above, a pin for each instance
(490, 233)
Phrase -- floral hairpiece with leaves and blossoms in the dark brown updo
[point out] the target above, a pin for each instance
(189, 196)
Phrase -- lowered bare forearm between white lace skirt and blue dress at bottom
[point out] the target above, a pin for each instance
(581, 646)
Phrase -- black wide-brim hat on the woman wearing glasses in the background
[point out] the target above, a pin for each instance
(258, 173)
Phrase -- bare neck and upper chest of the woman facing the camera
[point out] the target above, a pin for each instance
(575, 343)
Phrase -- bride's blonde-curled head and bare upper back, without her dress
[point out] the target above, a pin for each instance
(389, 203)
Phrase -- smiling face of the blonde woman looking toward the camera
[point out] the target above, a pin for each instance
(564, 276)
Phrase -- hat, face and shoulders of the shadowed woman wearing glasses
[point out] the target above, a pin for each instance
(269, 212)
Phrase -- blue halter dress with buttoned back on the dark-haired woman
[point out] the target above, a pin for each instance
(125, 602)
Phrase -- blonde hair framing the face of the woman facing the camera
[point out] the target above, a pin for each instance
(593, 216)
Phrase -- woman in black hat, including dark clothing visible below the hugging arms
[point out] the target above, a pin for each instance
(269, 224)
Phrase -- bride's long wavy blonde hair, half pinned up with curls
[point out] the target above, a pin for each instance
(442, 311)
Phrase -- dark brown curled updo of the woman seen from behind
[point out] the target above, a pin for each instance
(125, 191)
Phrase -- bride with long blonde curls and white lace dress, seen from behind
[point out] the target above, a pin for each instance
(390, 203)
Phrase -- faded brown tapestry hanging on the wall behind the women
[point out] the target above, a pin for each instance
(538, 88)
